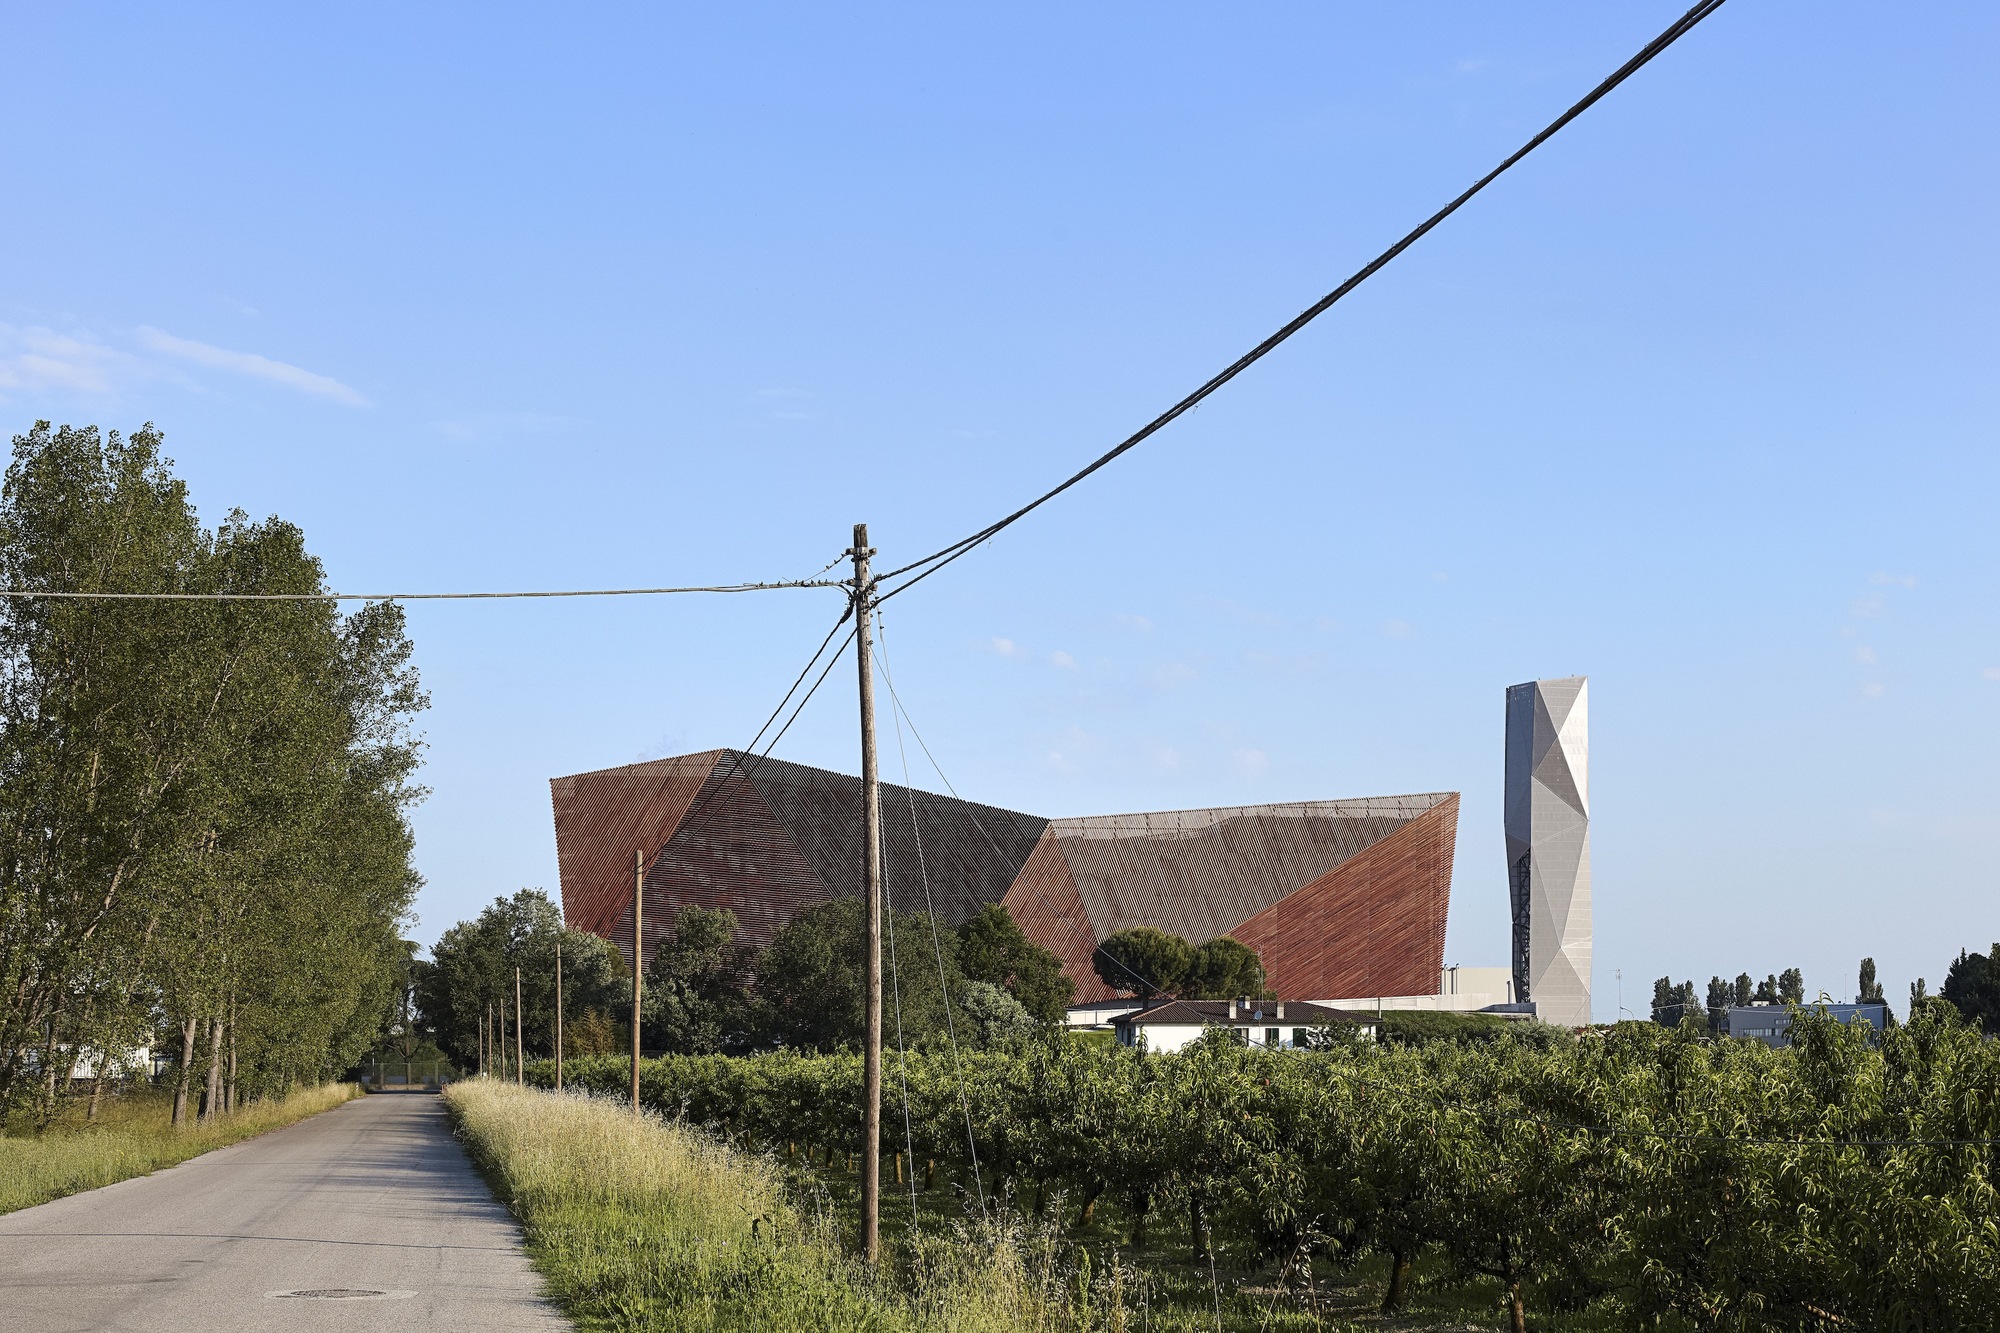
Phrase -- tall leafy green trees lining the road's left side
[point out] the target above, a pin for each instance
(203, 840)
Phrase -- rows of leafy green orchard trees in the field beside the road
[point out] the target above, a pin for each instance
(1649, 1176)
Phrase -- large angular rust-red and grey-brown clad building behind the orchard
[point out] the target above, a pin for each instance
(1339, 898)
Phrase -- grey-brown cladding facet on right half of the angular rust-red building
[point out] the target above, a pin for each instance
(1201, 874)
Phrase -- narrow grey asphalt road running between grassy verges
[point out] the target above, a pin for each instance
(371, 1198)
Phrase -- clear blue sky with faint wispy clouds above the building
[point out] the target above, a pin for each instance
(1701, 401)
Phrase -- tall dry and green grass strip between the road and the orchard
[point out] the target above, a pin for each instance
(643, 1224)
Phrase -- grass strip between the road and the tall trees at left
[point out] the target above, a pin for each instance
(133, 1138)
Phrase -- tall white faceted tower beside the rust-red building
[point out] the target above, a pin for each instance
(1549, 846)
